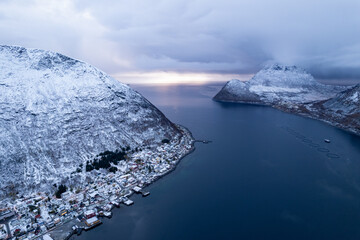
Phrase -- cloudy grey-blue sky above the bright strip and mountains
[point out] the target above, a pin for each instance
(192, 36)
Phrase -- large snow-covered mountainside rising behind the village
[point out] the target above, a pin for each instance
(57, 112)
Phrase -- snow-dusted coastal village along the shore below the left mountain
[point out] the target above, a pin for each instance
(45, 216)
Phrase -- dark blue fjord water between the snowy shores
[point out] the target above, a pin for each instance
(266, 175)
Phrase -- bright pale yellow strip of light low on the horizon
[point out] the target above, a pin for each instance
(173, 78)
